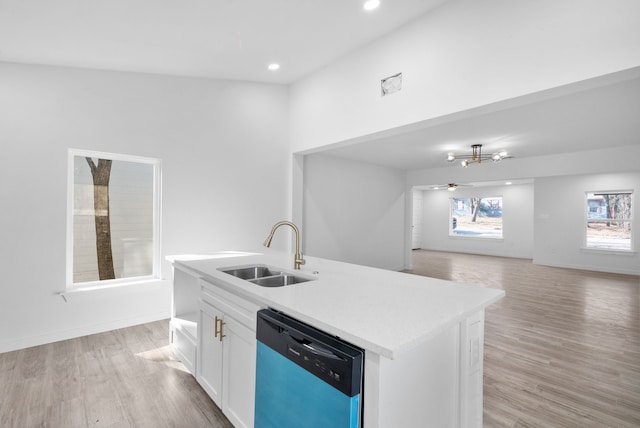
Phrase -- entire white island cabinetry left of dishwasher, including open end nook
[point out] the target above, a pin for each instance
(212, 332)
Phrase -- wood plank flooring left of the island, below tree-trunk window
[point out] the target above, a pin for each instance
(123, 378)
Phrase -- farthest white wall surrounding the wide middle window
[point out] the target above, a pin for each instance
(517, 222)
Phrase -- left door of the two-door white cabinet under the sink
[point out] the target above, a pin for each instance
(209, 367)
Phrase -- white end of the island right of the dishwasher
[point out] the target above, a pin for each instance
(438, 381)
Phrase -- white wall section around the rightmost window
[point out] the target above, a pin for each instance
(559, 222)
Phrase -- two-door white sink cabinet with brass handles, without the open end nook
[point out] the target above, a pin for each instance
(227, 353)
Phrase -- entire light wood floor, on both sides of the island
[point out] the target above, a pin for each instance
(562, 349)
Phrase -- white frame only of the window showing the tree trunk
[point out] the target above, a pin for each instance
(156, 273)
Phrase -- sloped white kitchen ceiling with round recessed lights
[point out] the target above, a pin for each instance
(223, 39)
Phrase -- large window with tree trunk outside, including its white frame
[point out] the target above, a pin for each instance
(113, 233)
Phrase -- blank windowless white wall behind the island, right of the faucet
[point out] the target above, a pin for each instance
(354, 212)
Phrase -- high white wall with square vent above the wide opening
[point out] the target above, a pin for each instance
(464, 54)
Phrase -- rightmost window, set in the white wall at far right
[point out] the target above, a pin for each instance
(608, 220)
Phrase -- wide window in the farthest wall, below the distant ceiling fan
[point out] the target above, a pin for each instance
(476, 217)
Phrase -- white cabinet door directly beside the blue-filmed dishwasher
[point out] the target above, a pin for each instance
(239, 366)
